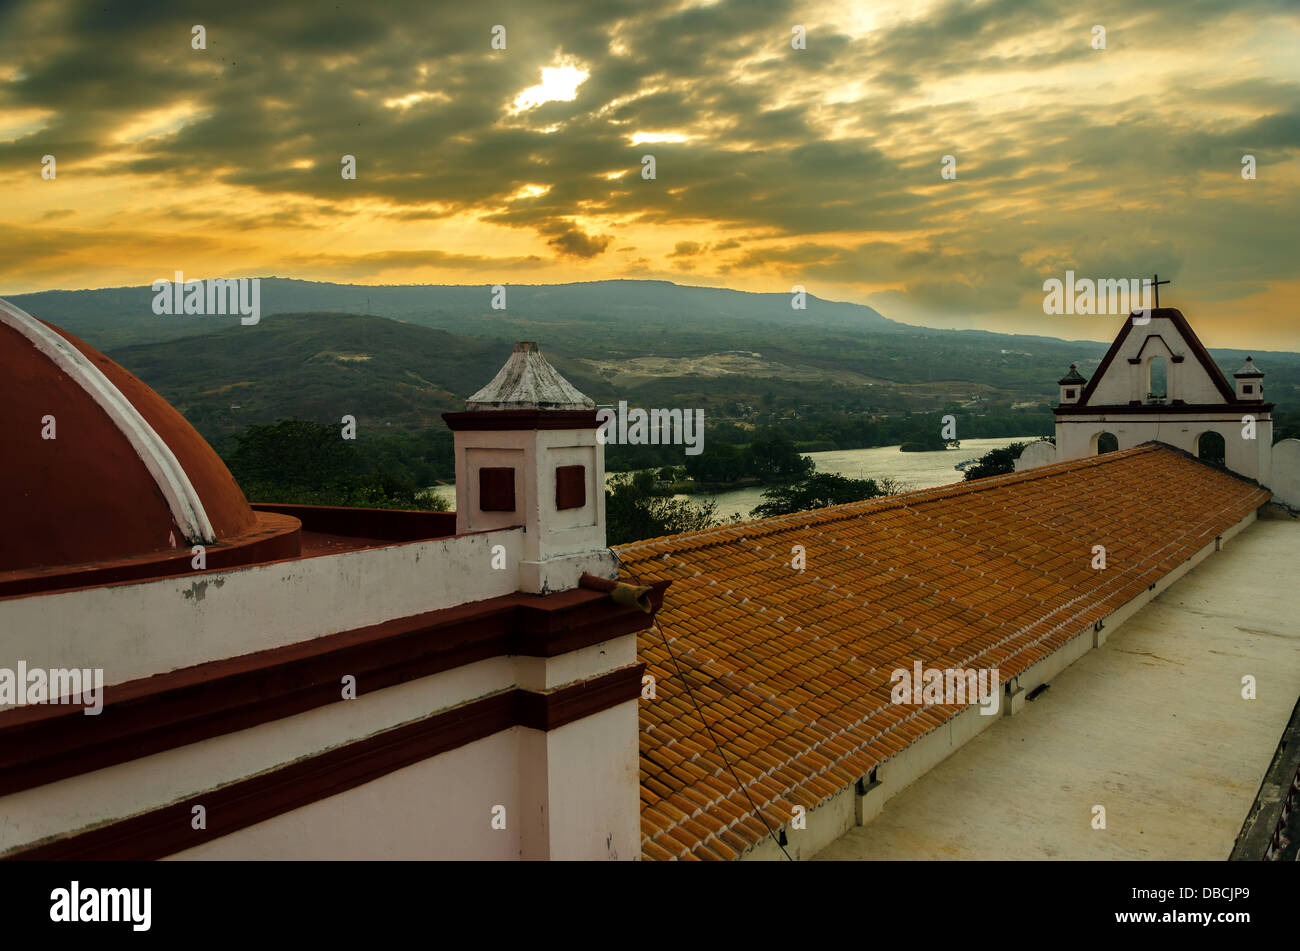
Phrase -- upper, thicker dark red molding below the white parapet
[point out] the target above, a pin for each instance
(47, 742)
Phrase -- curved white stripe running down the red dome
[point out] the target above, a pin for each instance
(163, 466)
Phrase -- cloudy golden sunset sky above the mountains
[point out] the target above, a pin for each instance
(775, 167)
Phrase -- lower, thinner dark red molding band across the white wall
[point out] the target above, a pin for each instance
(229, 809)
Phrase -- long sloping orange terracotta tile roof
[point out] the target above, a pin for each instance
(792, 670)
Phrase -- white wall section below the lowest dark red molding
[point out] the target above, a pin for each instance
(569, 794)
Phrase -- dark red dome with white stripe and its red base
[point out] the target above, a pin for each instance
(103, 480)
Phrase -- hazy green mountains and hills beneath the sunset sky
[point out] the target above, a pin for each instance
(398, 357)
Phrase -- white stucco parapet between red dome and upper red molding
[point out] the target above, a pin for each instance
(137, 629)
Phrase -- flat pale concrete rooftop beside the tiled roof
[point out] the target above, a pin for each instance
(1151, 726)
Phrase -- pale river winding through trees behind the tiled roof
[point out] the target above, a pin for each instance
(913, 470)
